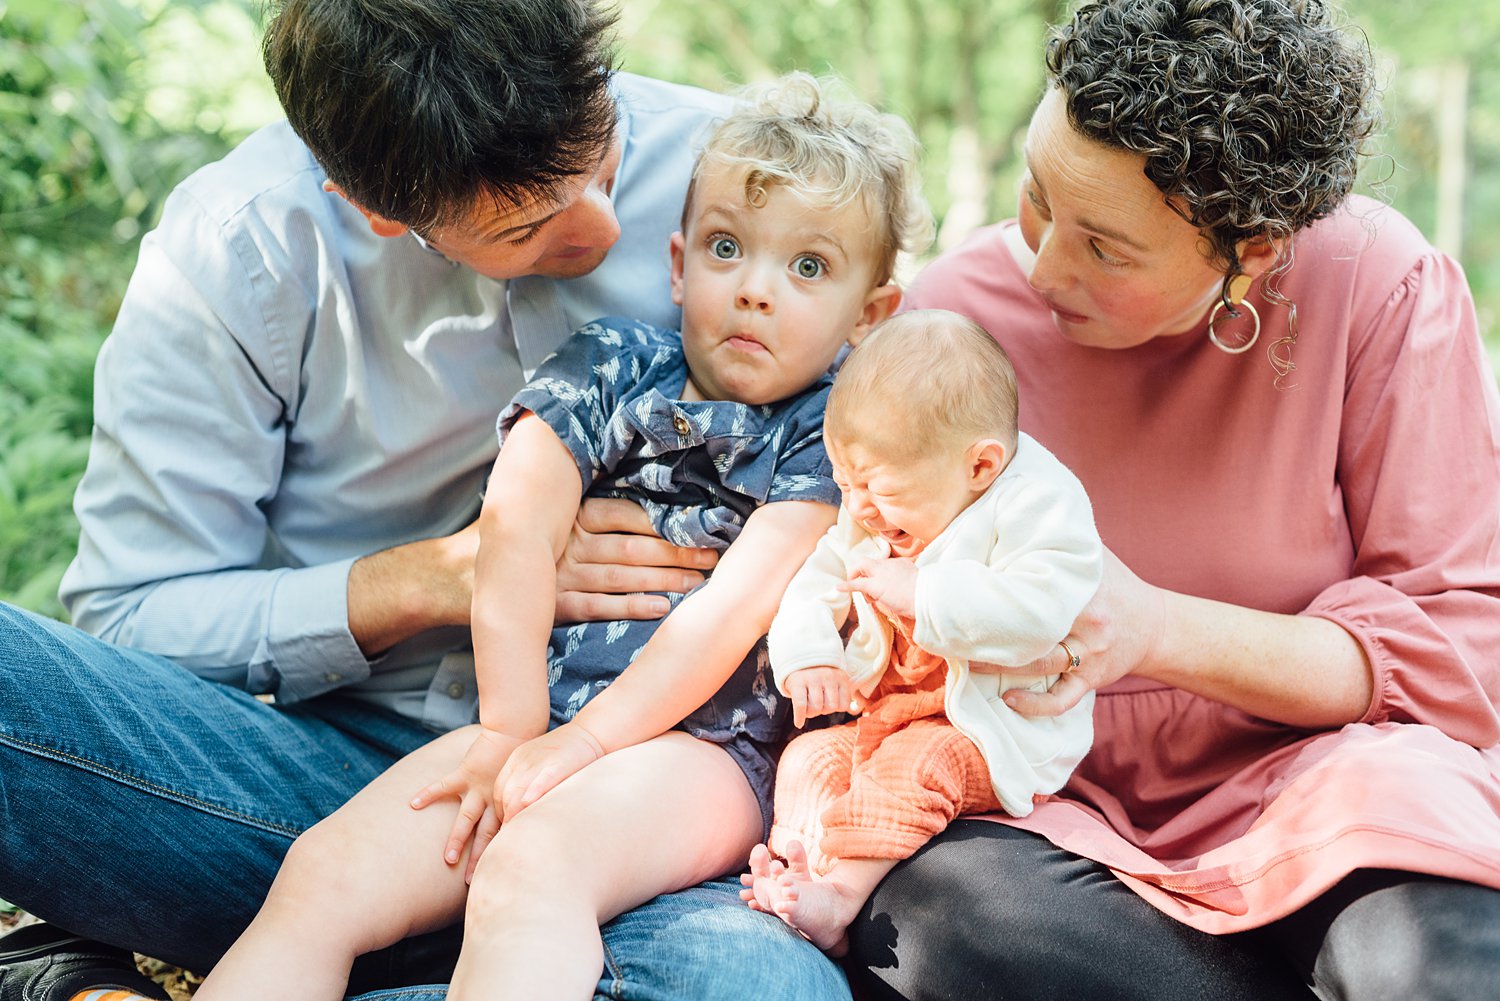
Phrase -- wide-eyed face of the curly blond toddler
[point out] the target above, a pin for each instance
(772, 292)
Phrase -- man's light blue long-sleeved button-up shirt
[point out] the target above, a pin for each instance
(286, 392)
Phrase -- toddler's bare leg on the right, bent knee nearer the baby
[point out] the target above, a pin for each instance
(646, 820)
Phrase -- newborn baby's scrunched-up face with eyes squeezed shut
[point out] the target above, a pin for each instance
(908, 504)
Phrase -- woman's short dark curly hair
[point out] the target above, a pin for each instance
(1252, 115)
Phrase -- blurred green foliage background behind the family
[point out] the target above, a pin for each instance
(106, 106)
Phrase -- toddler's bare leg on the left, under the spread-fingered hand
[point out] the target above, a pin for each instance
(364, 879)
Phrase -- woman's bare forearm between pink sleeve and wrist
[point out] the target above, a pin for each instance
(1297, 670)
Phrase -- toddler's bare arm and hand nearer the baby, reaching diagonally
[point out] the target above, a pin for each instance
(688, 660)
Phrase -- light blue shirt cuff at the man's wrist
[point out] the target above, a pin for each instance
(311, 646)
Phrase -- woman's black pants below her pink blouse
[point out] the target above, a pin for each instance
(989, 913)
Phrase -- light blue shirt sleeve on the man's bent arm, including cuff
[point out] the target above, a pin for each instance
(185, 458)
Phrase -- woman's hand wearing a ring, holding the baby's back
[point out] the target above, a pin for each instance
(1114, 636)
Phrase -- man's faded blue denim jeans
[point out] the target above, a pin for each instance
(151, 810)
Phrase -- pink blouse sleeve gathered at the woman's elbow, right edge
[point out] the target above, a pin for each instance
(1420, 470)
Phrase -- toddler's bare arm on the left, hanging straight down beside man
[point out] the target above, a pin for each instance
(530, 505)
